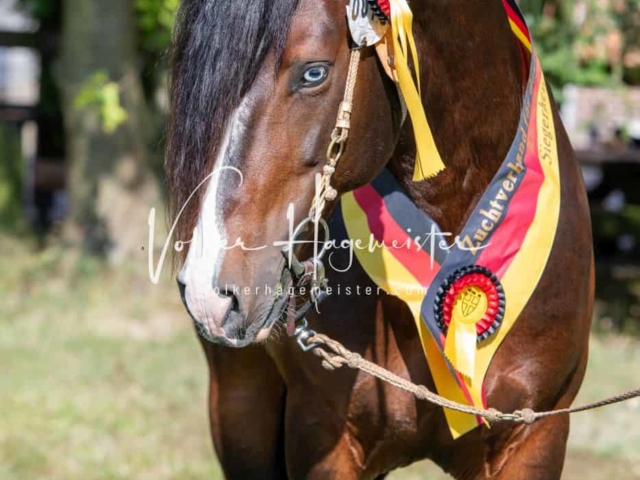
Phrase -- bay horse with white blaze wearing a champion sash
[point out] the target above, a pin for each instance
(255, 90)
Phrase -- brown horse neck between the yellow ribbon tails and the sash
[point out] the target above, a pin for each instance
(473, 83)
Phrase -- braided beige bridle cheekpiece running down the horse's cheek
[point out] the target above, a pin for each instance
(339, 136)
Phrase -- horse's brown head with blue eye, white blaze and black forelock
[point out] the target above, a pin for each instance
(255, 95)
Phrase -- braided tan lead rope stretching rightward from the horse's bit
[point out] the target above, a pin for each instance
(335, 356)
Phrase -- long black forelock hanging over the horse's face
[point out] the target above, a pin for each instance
(219, 48)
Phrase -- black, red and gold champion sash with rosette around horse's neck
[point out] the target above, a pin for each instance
(475, 290)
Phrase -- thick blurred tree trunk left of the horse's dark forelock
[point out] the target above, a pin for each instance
(111, 182)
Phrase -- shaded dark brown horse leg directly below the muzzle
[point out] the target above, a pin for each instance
(246, 406)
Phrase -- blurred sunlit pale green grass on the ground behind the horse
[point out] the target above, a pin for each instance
(102, 378)
